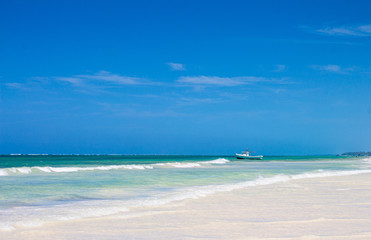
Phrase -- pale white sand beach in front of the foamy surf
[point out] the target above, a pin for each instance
(315, 208)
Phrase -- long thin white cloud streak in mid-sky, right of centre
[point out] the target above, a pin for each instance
(226, 81)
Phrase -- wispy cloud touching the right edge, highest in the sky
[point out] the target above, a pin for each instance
(361, 30)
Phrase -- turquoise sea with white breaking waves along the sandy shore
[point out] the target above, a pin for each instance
(36, 189)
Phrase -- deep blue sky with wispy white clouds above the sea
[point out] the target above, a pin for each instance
(185, 77)
